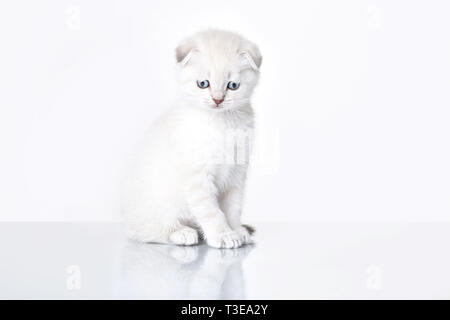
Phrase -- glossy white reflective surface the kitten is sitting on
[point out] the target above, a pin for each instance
(290, 261)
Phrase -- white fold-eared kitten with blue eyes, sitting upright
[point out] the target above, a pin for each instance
(186, 180)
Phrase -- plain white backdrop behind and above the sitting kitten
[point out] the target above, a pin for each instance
(353, 105)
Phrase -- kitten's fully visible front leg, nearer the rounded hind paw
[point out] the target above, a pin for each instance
(202, 200)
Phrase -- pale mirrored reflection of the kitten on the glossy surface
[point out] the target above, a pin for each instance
(173, 272)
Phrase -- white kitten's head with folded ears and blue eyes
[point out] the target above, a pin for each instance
(218, 70)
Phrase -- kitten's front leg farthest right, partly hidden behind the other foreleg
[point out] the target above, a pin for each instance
(231, 204)
